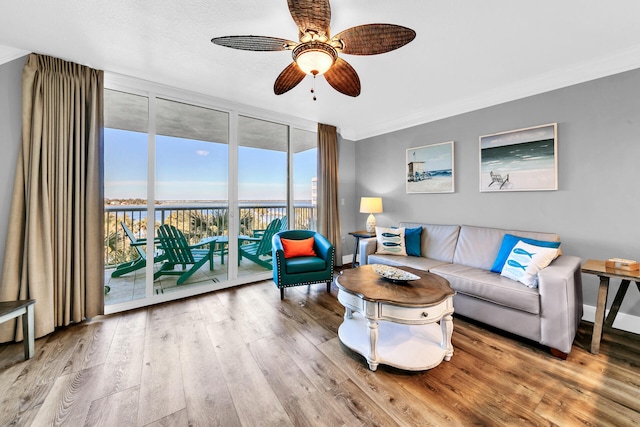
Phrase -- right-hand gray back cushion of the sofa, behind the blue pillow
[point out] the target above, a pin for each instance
(479, 246)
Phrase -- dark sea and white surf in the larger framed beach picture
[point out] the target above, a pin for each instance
(525, 156)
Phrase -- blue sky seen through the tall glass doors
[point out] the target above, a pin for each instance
(198, 170)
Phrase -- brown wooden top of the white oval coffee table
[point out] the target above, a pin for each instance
(430, 289)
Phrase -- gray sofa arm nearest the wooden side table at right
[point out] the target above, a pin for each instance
(560, 288)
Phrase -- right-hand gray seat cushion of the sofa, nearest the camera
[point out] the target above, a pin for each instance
(492, 287)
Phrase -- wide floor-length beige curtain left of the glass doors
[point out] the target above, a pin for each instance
(54, 242)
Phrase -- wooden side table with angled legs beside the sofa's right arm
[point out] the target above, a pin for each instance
(598, 268)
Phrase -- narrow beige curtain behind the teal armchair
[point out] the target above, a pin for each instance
(328, 207)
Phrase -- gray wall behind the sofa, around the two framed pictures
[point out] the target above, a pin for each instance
(596, 208)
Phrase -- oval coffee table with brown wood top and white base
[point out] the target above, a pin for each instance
(396, 324)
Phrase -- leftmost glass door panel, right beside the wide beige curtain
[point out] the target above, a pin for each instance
(125, 191)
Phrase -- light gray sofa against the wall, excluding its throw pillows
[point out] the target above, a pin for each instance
(464, 255)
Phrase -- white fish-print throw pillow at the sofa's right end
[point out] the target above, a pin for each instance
(525, 261)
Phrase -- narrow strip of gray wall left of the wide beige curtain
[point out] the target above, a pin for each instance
(10, 134)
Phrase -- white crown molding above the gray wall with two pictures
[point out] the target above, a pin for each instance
(626, 60)
